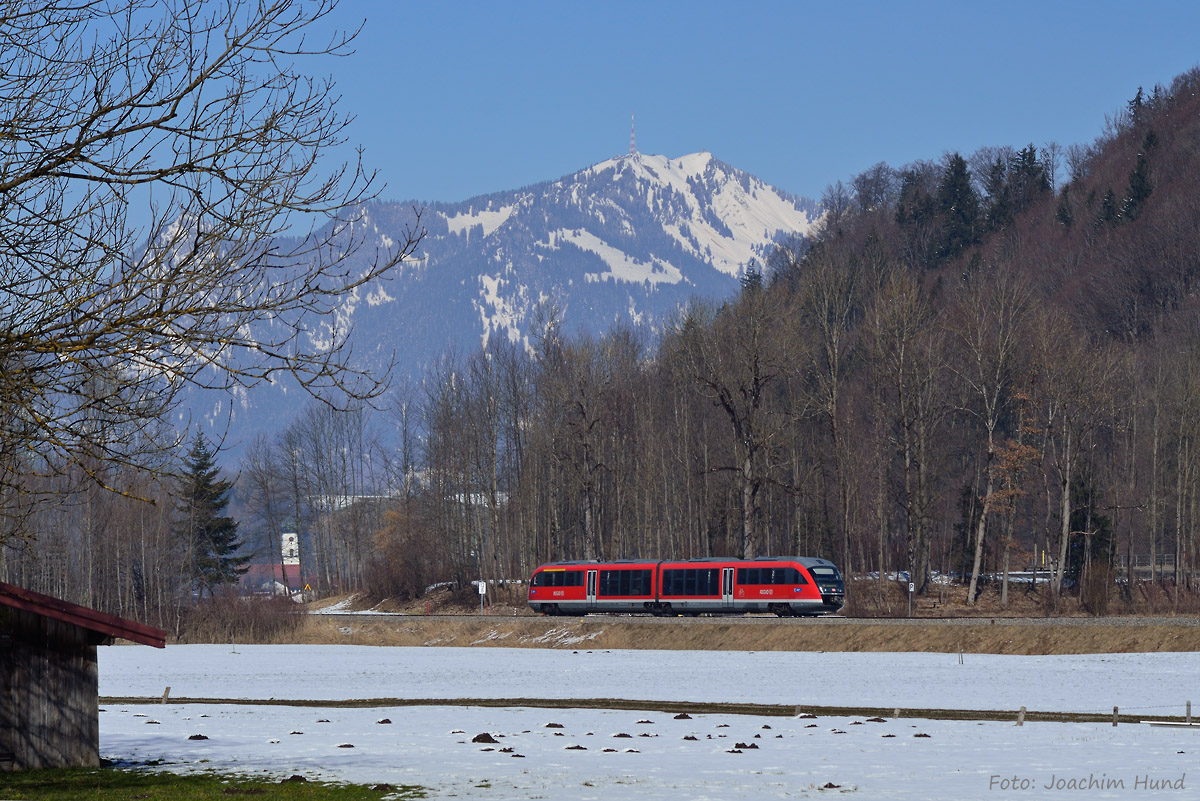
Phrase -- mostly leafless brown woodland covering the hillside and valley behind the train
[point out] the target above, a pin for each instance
(982, 364)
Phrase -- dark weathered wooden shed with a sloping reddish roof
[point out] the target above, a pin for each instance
(50, 694)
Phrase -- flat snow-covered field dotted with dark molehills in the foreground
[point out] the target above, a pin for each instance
(663, 758)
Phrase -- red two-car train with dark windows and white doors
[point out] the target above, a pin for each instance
(785, 586)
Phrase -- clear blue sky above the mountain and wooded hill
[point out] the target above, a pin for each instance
(457, 99)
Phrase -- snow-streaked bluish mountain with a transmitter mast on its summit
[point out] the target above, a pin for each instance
(629, 239)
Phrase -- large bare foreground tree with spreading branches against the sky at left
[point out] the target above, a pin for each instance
(163, 195)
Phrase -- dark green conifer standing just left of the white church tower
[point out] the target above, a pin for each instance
(212, 538)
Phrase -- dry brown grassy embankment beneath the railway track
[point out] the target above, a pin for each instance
(1031, 636)
